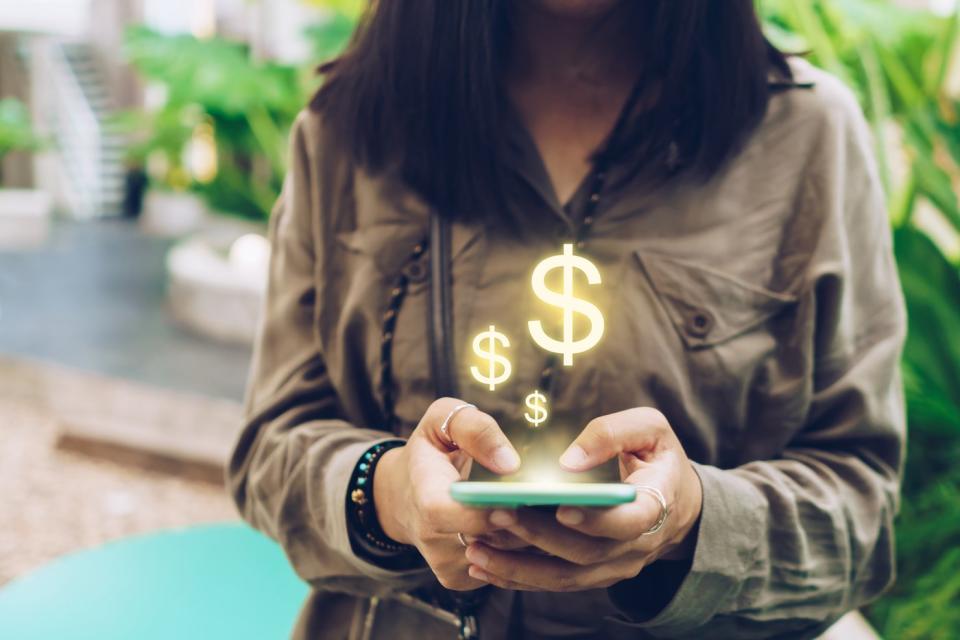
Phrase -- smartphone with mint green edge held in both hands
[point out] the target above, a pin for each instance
(518, 494)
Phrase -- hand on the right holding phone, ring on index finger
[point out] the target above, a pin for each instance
(594, 547)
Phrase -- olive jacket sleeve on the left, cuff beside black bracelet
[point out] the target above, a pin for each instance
(289, 470)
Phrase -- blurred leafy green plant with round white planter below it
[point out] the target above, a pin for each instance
(221, 134)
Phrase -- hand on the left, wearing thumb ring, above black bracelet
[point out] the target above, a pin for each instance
(411, 488)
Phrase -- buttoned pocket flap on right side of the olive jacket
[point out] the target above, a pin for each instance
(708, 307)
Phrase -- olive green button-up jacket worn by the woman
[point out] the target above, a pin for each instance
(760, 312)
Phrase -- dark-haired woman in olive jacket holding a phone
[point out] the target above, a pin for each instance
(747, 369)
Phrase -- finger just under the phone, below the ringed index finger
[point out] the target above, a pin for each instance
(542, 531)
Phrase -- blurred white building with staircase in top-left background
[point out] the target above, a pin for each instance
(64, 59)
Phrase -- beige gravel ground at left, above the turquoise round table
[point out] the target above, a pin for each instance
(56, 502)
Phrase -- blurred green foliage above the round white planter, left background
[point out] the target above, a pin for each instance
(249, 105)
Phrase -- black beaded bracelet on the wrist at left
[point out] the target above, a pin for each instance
(368, 537)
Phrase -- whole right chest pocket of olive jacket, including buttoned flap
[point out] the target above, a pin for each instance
(715, 352)
